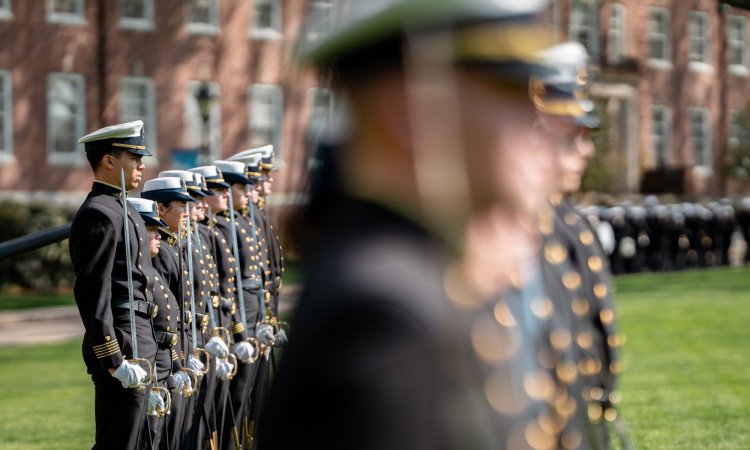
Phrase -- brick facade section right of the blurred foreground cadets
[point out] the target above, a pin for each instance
(671, 77)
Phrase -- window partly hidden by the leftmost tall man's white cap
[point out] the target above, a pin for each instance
(137, 103)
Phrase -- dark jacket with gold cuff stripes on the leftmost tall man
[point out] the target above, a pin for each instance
(97, 249)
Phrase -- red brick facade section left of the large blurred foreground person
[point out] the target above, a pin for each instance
(68, 67)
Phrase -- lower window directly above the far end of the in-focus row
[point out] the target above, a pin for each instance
(266, 113)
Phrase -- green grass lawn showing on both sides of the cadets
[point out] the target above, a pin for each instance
(686, 383)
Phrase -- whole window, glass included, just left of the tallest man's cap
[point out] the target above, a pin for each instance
(66, 117)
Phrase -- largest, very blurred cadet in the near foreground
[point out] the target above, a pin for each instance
(426, 321)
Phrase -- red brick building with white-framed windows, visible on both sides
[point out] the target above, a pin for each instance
(670, 77)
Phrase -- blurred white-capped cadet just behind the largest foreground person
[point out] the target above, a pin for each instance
(572, 248)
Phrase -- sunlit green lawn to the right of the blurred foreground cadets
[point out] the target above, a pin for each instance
(686, 383)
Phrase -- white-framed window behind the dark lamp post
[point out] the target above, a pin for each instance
(194, 122)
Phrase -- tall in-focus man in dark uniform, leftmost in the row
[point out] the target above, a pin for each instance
(98, 251)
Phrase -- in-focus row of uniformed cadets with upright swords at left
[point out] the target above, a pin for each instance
(186, 282)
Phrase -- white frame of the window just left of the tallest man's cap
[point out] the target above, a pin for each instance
(75, 157)
